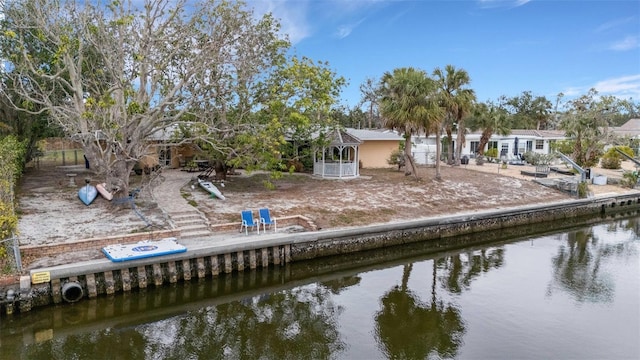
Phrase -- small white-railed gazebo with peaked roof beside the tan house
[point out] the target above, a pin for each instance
(339, 159)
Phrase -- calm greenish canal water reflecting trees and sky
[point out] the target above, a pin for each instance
(571, 294)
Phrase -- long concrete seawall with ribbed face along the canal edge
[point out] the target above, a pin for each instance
(210, 257)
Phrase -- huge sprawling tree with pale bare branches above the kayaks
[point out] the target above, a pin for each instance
(111, 74)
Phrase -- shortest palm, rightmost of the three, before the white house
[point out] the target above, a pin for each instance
(492, 119)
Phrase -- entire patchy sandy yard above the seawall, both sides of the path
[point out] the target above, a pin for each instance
(50, 211)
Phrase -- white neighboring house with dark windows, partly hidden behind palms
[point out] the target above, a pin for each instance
(518, 142)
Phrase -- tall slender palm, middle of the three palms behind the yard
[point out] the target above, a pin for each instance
(456, 100)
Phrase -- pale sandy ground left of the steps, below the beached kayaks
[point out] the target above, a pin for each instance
(50, 211)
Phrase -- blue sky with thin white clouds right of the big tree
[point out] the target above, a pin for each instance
(506, 46)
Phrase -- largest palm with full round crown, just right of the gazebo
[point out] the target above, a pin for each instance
(408, 104)
